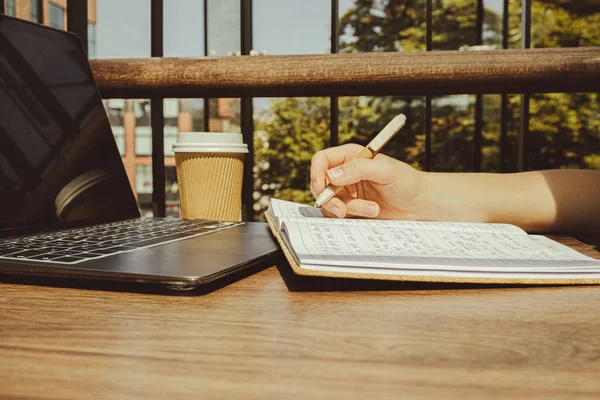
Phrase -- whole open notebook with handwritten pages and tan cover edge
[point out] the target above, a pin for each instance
(423, 251)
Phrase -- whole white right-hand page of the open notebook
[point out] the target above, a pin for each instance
(385, 246)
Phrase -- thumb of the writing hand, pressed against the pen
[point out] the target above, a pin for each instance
(378, 170)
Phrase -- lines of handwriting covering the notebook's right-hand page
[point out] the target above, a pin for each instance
(326, 240)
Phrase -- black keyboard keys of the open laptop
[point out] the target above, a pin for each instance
(83, 244)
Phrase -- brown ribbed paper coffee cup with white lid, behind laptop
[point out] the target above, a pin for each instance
(210, 169)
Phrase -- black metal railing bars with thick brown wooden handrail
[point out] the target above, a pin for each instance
(427, 73)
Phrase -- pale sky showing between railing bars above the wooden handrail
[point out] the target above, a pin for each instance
(280, 27)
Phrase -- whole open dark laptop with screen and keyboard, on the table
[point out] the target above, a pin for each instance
(67, 208)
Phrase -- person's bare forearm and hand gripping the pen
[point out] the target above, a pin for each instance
(557, 201)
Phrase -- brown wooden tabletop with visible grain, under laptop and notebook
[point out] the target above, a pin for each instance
(257, 339)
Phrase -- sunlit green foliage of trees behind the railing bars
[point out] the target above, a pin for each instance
(564, 128)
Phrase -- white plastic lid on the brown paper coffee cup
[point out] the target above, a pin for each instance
(209, 142)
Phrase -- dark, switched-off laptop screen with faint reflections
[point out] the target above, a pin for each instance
(59, 162)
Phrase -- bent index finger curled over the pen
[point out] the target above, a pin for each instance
(327, 159)
